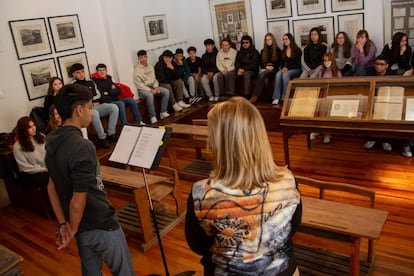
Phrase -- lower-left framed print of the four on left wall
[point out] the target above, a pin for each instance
(36, 76)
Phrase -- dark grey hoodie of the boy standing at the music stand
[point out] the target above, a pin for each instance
(72, 164)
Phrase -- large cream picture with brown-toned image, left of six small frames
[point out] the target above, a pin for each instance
(231, 18)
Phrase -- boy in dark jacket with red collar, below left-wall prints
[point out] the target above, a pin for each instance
(110, 91)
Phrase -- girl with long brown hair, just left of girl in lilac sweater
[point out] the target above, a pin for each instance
(341, 48)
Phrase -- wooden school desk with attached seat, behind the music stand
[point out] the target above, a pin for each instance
(136, 217)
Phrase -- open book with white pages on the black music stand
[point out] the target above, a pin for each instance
(138, 146)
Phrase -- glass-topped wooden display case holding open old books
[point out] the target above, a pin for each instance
(364, 106)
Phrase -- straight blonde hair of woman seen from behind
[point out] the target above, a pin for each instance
(242, 157)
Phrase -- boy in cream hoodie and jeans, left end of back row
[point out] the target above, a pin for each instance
(148, 87)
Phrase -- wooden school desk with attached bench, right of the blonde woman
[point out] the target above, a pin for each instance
(338, 227)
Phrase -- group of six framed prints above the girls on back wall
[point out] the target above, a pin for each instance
(349, 23)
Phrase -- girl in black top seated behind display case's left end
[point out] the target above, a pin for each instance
(312, 54)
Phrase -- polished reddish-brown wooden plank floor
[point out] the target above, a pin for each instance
(390, 174)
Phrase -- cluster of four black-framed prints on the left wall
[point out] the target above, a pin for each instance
(31, 40)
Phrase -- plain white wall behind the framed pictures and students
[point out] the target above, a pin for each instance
(113, 31)
